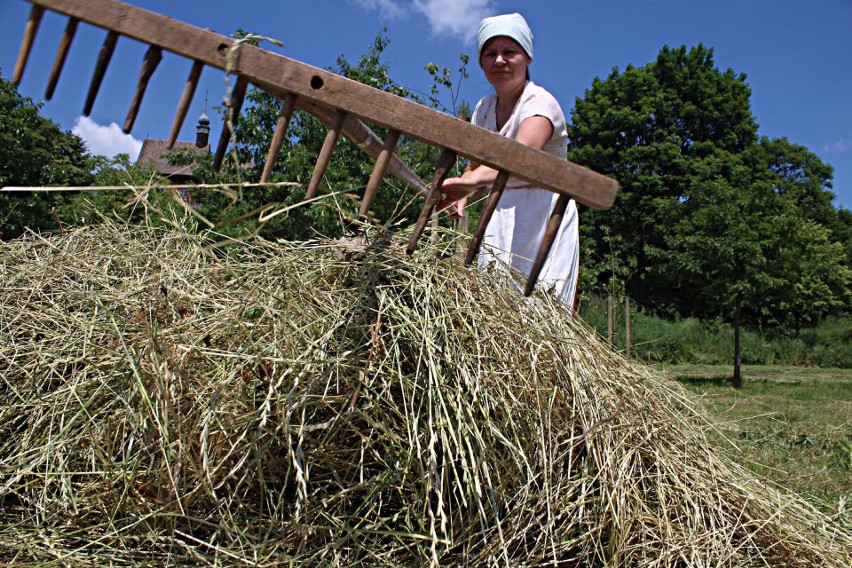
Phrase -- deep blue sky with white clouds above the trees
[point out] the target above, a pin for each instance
(797, 56)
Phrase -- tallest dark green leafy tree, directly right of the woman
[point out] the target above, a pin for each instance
(664, 131)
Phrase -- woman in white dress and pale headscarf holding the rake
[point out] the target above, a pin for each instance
(521, 110)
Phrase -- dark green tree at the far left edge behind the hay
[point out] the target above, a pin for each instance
(35, 151)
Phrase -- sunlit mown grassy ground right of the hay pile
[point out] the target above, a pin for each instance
(790, 424)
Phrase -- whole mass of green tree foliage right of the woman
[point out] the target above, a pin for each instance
(709, 221)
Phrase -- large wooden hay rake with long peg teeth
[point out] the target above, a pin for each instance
(339, 102)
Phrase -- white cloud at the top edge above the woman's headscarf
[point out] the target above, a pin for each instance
(459, 18)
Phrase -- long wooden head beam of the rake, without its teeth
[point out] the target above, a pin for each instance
(328, 89)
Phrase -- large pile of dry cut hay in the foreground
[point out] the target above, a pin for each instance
(328, 405)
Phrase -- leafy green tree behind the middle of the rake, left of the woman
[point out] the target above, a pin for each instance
(349, 170)
